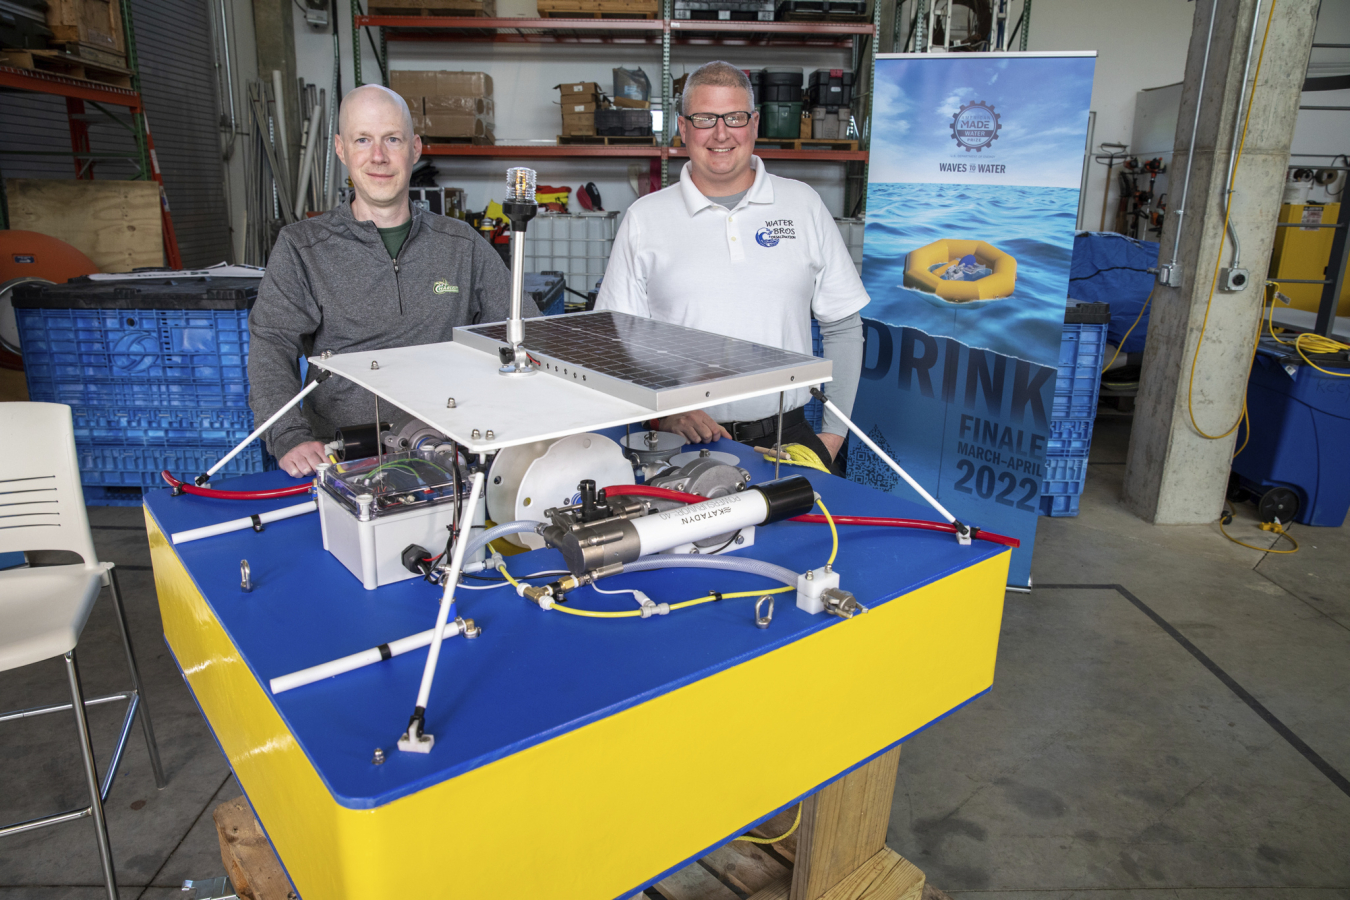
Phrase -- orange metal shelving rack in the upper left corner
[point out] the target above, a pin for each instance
(78, 92)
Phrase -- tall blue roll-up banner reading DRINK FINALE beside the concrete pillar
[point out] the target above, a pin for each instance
(971, 206)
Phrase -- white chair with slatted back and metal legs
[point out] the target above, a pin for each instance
(45, 609)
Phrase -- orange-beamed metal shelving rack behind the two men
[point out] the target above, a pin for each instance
(857, 37)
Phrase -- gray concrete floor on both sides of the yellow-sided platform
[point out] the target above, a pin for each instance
(1171, 719)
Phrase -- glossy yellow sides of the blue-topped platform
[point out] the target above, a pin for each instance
(603, 809)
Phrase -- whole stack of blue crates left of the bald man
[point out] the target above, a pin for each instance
(156, 374)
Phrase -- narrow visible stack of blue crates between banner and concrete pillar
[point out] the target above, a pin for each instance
(1077, 388)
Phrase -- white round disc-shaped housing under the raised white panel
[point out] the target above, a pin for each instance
(533, 478)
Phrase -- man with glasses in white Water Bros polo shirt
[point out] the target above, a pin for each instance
(738, 252)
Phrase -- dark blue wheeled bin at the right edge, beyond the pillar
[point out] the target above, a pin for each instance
(1301, 432)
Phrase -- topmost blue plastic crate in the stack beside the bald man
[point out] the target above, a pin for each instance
(153, 346)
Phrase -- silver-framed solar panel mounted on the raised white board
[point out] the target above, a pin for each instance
(647, 362)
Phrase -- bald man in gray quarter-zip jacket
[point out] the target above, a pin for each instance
(371, 275)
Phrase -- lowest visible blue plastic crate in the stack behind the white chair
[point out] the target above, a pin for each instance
(126, 466)
